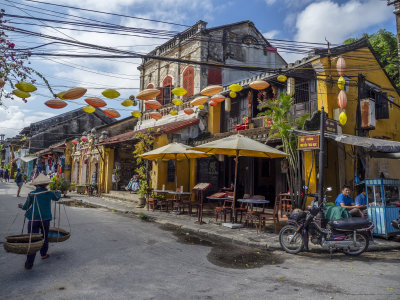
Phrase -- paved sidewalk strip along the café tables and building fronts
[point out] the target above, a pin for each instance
(243, 236)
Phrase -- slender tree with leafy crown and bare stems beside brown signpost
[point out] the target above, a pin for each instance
(282, 125)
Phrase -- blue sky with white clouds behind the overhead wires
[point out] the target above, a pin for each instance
(295, 20)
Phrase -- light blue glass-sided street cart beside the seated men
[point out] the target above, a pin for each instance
(382, 197)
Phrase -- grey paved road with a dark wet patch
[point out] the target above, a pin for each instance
(114, 256)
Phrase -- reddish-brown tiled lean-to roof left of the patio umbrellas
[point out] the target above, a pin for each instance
(165, 128)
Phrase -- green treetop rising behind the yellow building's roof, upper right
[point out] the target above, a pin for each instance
(384, 44)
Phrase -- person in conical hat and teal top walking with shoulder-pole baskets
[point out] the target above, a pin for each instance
(38, 213)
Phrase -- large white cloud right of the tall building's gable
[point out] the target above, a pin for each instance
(337, 22)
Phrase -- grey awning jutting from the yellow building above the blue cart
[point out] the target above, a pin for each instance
(370, 144)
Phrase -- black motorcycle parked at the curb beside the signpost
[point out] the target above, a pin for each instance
(350, 235)
